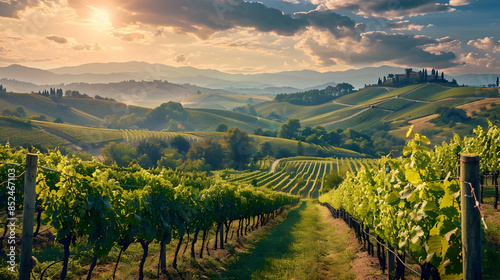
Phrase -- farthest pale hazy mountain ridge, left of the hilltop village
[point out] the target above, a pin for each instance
(121, 71)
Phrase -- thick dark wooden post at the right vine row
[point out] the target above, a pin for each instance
(471, 217)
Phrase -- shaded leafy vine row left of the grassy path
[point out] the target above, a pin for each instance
(113, 206)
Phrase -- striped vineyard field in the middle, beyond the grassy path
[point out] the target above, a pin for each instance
(299, 176)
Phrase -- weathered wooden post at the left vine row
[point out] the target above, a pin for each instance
(28, 216)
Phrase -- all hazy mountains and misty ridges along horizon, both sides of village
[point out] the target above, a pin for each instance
(118, 80)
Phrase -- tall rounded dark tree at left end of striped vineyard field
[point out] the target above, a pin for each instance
(240, 147)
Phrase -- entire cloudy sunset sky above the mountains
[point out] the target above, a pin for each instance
(236, 36)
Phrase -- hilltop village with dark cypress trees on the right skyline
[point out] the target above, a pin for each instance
(412, 77)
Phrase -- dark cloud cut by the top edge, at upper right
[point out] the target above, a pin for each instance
(389, 9)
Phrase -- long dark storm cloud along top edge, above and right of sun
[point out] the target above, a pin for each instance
(205, 17)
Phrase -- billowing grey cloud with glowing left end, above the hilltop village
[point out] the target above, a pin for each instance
(376, 47)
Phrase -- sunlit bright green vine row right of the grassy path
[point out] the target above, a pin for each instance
(415, 205)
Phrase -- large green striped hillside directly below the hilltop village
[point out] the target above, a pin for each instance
(372, 106)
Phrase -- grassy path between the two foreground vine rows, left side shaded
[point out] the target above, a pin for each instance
(304, 246)
